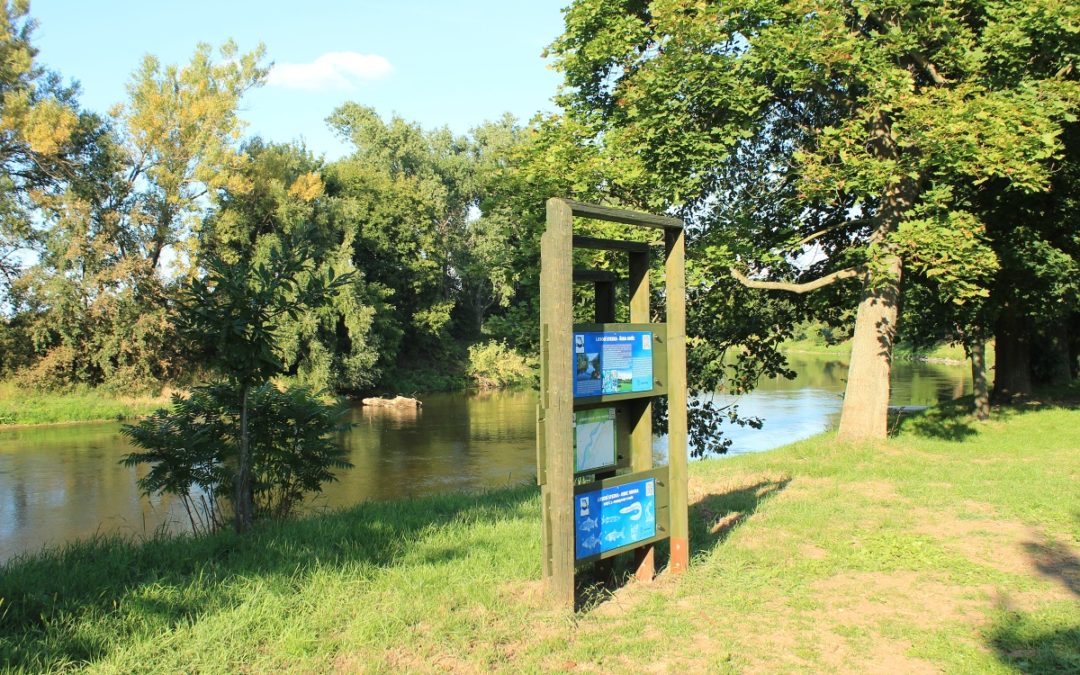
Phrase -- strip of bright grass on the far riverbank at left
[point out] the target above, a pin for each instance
(20, 407)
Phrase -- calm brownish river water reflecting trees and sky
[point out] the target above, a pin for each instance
(62, 483)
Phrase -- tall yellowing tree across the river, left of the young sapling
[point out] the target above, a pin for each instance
(137, 184)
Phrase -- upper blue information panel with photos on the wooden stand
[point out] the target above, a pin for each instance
(613, 363)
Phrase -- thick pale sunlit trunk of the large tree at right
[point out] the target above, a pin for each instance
(866, 413)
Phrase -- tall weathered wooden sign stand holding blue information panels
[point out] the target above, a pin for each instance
(602, 495)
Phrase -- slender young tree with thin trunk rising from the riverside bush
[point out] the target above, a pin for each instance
(232, 317)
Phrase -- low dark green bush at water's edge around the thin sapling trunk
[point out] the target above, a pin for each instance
(193, 450)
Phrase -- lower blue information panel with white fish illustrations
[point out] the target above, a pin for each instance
(615, 517)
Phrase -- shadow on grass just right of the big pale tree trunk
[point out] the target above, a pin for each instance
(952, 421)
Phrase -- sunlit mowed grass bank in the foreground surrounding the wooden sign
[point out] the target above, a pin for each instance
(954, 547)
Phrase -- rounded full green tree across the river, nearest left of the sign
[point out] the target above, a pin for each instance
(423, 210)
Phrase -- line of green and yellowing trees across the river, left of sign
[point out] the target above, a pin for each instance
(109, 218)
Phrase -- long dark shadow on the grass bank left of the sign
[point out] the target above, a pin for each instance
(126, 588)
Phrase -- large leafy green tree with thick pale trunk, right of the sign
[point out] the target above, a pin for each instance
(856, 132)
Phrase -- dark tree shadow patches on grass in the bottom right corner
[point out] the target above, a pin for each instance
(1034, 642)
